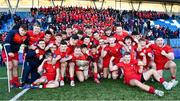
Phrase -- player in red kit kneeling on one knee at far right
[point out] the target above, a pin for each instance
(163, 57)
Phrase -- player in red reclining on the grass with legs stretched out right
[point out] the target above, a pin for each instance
(133, 75)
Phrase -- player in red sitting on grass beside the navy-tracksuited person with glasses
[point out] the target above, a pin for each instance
(50, 75)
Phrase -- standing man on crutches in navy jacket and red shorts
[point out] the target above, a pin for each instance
(12, 43)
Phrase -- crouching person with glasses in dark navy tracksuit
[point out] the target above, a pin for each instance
(33, 59)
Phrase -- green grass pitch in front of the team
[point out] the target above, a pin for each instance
(108, 90)
